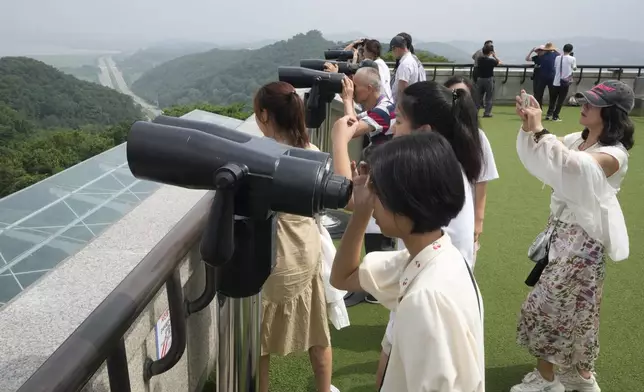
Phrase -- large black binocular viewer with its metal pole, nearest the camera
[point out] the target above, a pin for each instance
(253, 178)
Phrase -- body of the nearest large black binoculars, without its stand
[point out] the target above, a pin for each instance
(269, 176)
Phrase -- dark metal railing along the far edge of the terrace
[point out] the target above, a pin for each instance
(615, 70)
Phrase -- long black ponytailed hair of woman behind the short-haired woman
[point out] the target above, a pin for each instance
(453, 114)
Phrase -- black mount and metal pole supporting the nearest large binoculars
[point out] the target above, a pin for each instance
(242, 251)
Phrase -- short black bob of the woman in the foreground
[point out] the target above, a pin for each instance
(419, 177)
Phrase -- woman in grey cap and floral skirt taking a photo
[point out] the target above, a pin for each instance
(559, 322)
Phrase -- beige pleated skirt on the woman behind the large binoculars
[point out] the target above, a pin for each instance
(294, 316)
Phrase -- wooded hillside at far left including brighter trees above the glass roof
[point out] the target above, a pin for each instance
(50, 121)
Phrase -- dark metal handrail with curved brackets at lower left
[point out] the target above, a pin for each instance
(101, 337)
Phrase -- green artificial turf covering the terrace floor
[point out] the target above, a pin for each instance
(517, 209)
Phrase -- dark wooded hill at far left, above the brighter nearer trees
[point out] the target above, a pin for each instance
(48, 98)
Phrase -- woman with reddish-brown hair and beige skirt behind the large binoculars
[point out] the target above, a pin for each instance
(294, 317)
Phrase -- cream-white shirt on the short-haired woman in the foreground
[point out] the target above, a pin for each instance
(438, 335)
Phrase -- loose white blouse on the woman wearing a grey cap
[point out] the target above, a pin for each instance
(580, 186)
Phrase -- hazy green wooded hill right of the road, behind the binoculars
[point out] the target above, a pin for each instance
(225, 76)
